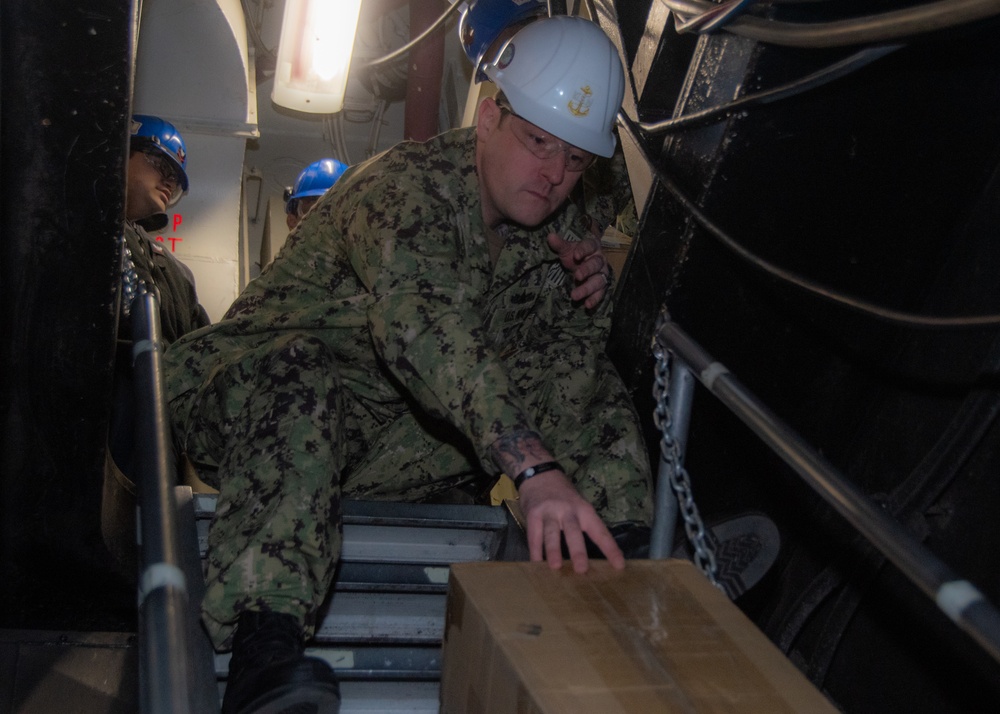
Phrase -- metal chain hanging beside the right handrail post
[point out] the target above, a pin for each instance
(680, 482)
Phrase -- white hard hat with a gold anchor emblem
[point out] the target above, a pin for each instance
(563, 75)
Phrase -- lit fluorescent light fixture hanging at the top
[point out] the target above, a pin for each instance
(314, 54)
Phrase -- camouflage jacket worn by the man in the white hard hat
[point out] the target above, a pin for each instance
(391, 270)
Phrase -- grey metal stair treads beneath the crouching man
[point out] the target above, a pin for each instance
(384, 622)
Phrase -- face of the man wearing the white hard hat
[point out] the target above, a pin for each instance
(516, 184)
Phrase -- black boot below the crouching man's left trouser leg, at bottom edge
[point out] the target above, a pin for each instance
(270, 674)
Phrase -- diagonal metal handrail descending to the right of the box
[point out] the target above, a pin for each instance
(956, 597)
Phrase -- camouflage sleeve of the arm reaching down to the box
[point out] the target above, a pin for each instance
(426, 263)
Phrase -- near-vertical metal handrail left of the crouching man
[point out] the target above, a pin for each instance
(163, 592)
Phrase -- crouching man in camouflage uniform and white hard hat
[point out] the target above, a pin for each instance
(412, 336)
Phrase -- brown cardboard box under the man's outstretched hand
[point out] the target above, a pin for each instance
(655, 637)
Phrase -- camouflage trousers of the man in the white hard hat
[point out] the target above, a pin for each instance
(283, 440)
